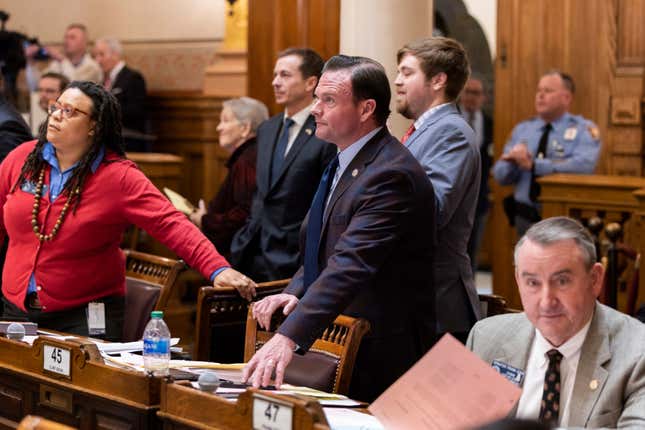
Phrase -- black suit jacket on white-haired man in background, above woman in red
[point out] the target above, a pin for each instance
(129, 88)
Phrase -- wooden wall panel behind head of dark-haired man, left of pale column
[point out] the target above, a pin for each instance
(278, 24)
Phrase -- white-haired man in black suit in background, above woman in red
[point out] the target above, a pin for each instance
(129, 88)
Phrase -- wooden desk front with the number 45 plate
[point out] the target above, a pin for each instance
(95, 396)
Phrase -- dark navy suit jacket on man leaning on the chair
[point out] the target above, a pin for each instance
(376, 254)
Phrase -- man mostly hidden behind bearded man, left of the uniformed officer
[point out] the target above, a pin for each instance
(471, 101)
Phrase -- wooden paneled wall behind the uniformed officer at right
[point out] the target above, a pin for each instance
(602, 45)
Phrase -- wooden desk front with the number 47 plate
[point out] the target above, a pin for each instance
(185, 408)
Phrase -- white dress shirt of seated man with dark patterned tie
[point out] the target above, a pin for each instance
(531, 399)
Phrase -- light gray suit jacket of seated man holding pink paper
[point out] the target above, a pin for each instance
(612, 354)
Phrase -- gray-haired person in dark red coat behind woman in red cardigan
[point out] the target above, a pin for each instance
(228, 210)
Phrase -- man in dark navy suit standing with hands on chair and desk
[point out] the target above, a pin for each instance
(367, 241)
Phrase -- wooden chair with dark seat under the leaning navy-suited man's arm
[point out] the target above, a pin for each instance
(329, 363)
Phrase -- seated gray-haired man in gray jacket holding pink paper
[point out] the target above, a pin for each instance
(579, 363)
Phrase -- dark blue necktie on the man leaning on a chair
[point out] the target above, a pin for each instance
(314, 226)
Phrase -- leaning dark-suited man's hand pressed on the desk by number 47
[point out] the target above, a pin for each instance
(276, 354)
